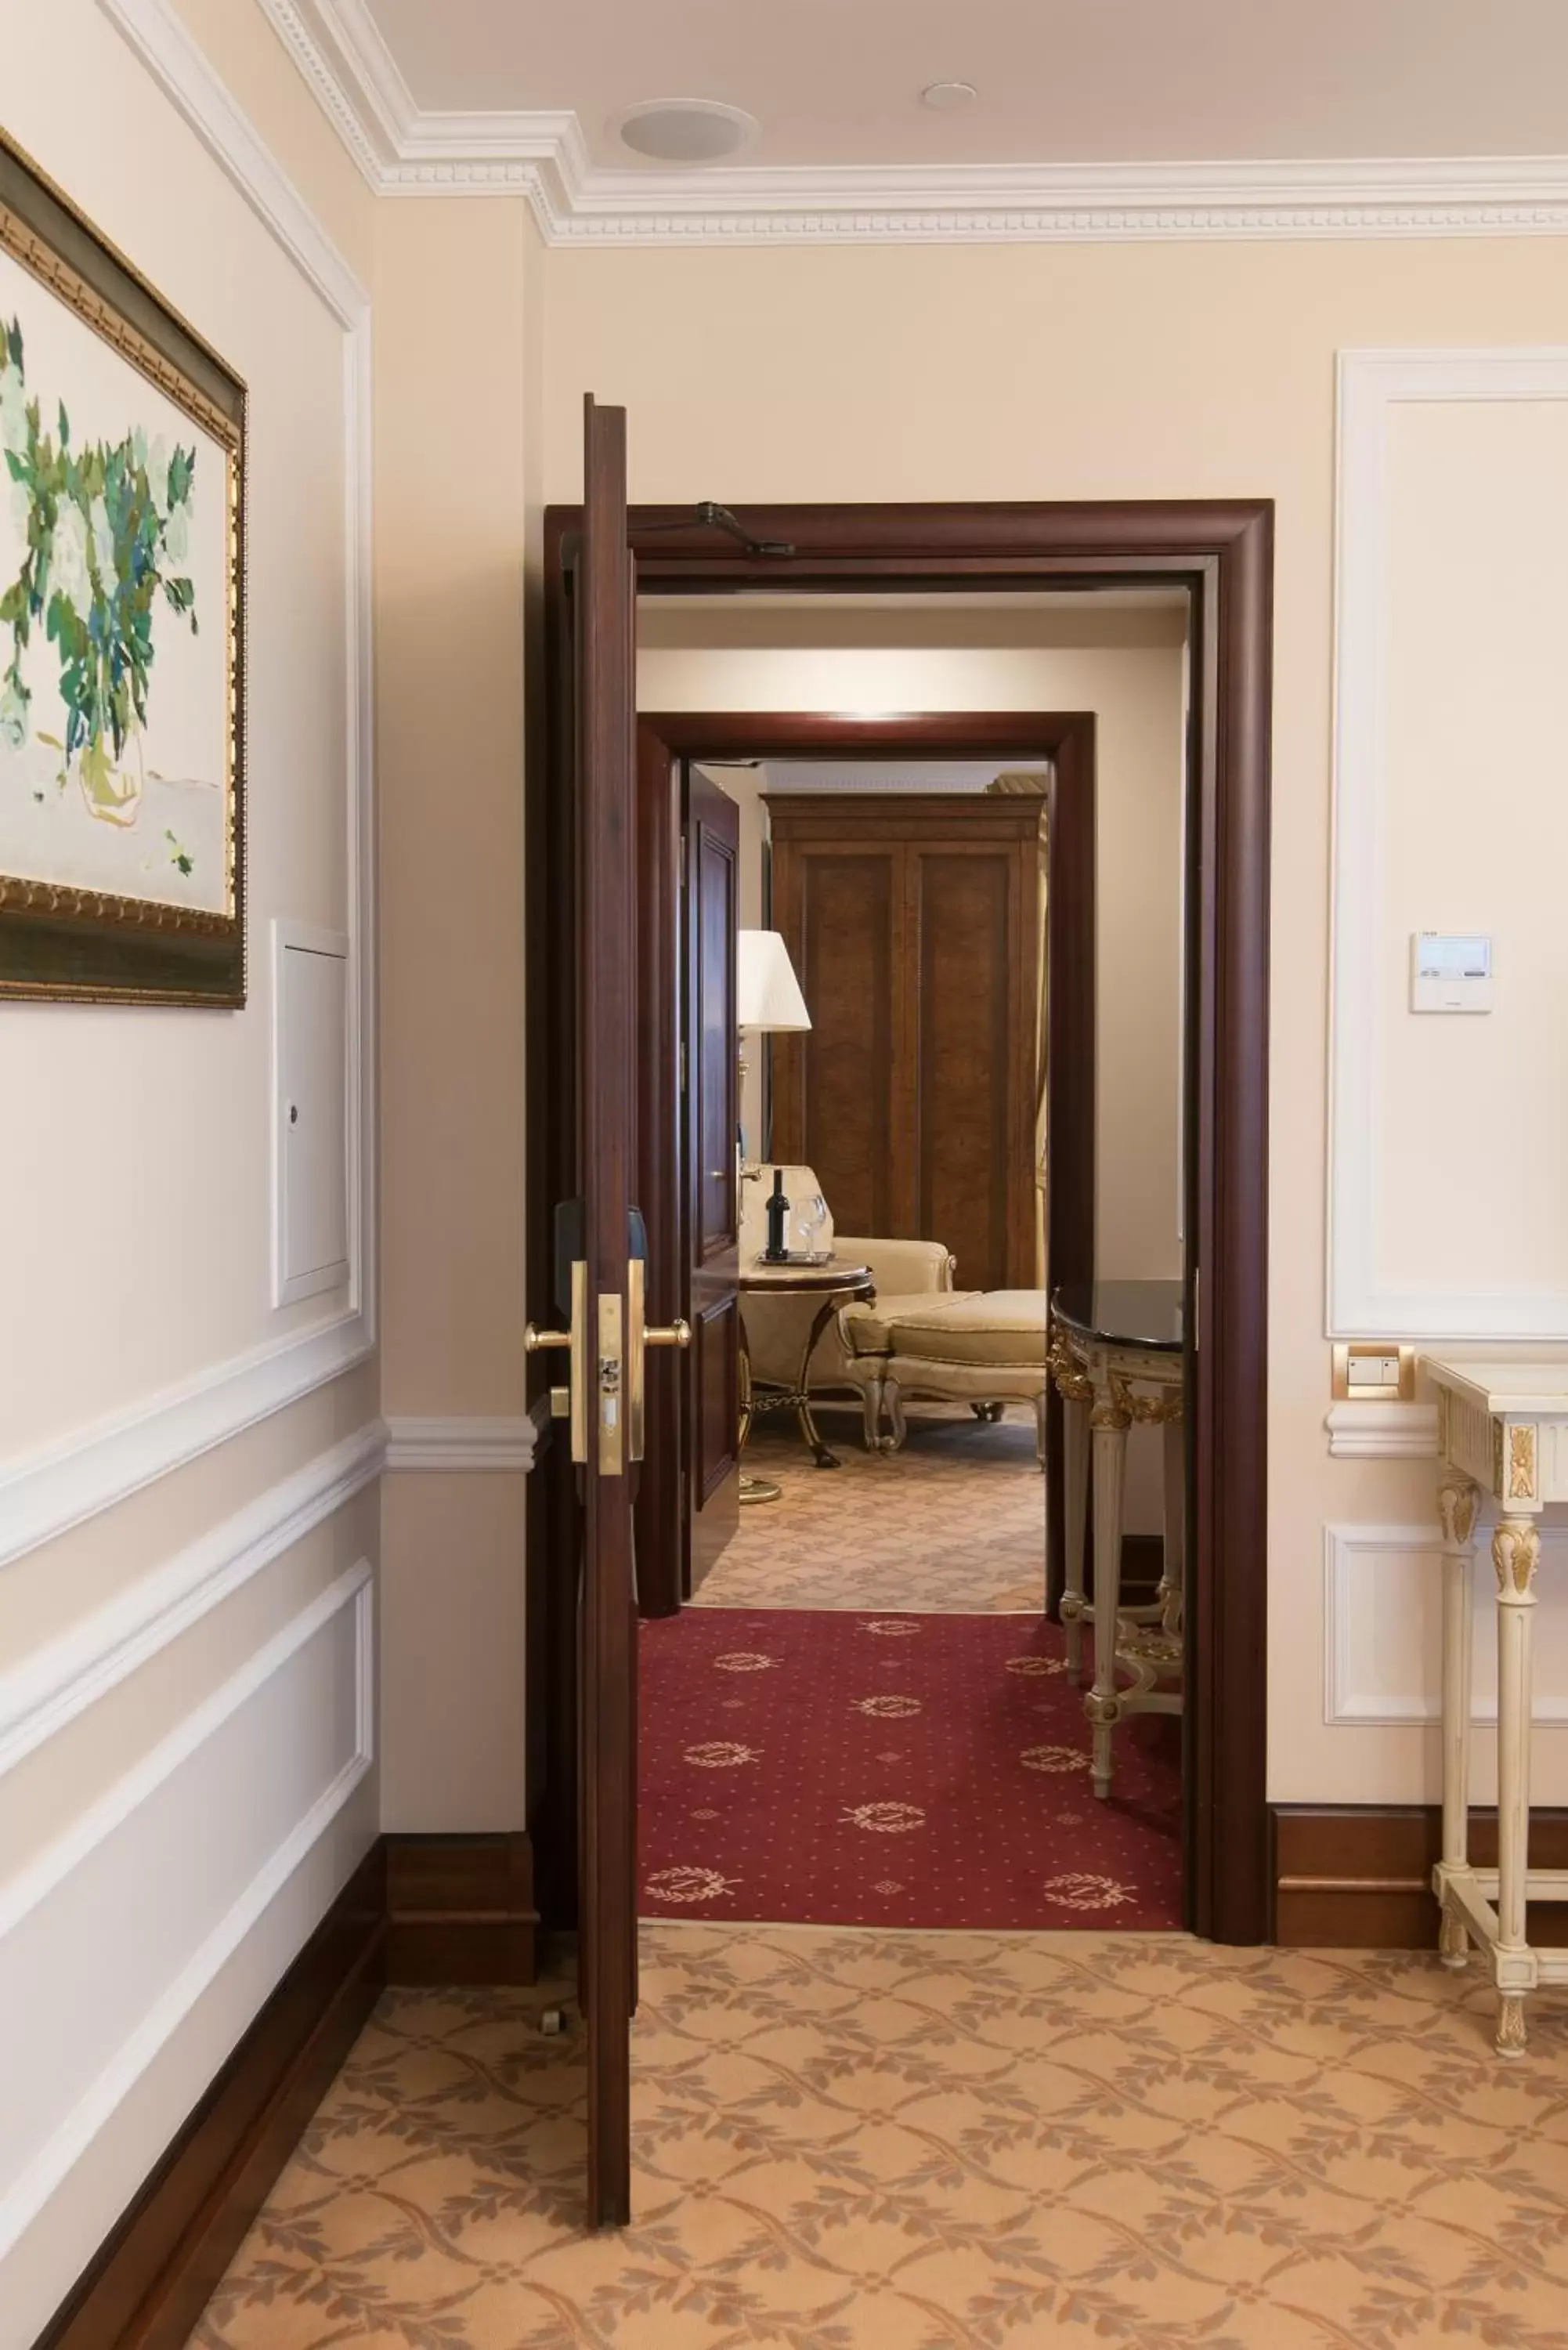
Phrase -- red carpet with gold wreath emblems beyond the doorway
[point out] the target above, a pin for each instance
(925, 1771)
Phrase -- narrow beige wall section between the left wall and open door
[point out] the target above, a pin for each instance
(455, 323)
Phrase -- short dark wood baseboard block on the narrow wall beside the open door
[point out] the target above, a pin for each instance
(462, 1909)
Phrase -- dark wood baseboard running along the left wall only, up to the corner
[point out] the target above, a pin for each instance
(156, 2271)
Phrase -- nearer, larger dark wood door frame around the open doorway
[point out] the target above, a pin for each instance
(1224, 556)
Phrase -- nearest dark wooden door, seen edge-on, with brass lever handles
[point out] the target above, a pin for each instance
(603, 1280)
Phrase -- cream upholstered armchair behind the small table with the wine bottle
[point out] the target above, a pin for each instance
(777, 1329)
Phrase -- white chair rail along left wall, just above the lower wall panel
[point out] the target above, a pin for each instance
(67, 1677)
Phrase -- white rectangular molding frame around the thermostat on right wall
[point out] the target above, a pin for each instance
(1362, 1298)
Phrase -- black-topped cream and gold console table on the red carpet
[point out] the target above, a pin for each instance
(1111, 1341)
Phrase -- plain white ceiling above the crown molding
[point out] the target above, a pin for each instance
(1061, 81)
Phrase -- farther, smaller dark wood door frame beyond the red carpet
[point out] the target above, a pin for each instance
(669, 739)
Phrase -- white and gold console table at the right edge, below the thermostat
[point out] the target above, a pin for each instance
(1503, 1432)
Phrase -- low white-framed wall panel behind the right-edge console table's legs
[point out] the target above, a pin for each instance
(1383, 1616)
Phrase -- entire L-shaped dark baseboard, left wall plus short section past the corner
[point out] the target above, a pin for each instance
(420, 1909)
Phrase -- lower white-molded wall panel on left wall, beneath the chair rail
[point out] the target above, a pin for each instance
(260, 1780)
